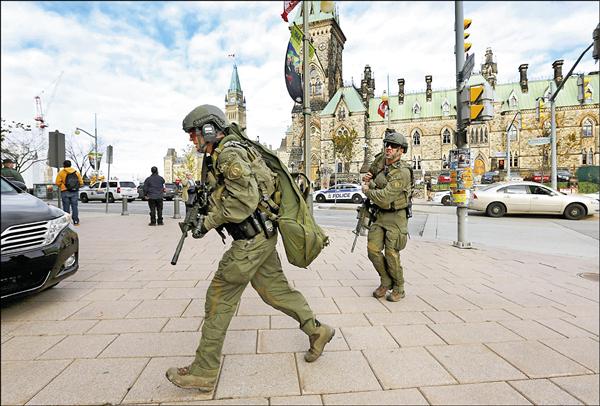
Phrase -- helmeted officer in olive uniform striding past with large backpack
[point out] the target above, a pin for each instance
(241, 182)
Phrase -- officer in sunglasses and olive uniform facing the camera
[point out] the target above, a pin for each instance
(388, 185)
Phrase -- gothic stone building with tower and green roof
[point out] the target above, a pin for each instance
(428, 118)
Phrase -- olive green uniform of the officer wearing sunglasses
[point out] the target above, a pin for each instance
(389, 190)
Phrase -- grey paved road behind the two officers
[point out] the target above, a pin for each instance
(531, 233)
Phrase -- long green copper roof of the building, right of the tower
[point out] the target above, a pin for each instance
(433, 108)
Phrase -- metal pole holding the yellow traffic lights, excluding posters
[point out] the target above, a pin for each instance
(461, 132)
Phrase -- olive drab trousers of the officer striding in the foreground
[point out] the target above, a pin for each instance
(255, 261)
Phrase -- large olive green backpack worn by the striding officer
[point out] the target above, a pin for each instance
(303, 239)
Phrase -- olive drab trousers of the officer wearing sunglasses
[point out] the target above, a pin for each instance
(387, 237)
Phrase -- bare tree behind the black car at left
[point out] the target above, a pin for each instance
(21, 145)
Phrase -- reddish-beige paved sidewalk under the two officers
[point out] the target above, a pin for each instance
(477, 326)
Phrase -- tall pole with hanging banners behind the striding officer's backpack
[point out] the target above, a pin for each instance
(306, 102)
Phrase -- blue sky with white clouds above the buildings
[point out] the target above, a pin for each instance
(142, 66)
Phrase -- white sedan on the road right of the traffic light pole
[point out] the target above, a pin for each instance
(531, 197)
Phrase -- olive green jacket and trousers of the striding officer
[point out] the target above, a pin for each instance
(235, 197)
